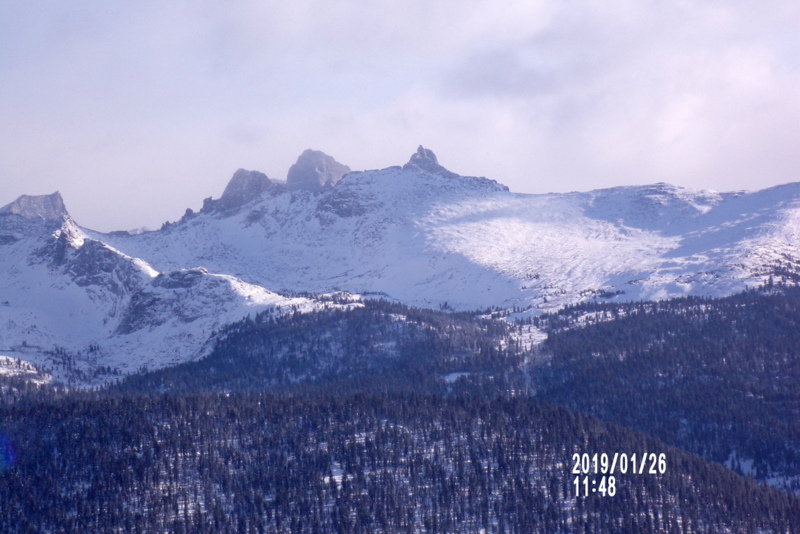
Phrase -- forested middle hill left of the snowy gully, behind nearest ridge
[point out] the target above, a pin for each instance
(380, 346)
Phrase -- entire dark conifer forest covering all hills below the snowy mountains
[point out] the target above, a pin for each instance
(384, 418)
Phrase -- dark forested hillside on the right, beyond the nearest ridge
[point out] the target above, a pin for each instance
(718, 377)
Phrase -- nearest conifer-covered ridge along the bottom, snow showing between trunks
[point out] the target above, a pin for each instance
(262, 463)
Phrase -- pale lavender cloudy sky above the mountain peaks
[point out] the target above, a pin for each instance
(137, 110)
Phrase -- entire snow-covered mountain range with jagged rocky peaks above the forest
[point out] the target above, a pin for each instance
(84, 307)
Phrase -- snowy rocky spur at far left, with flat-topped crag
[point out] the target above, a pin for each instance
(84, 312)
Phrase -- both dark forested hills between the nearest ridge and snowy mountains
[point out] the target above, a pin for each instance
(717, 377)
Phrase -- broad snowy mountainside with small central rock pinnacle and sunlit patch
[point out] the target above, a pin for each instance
(426, 236)
